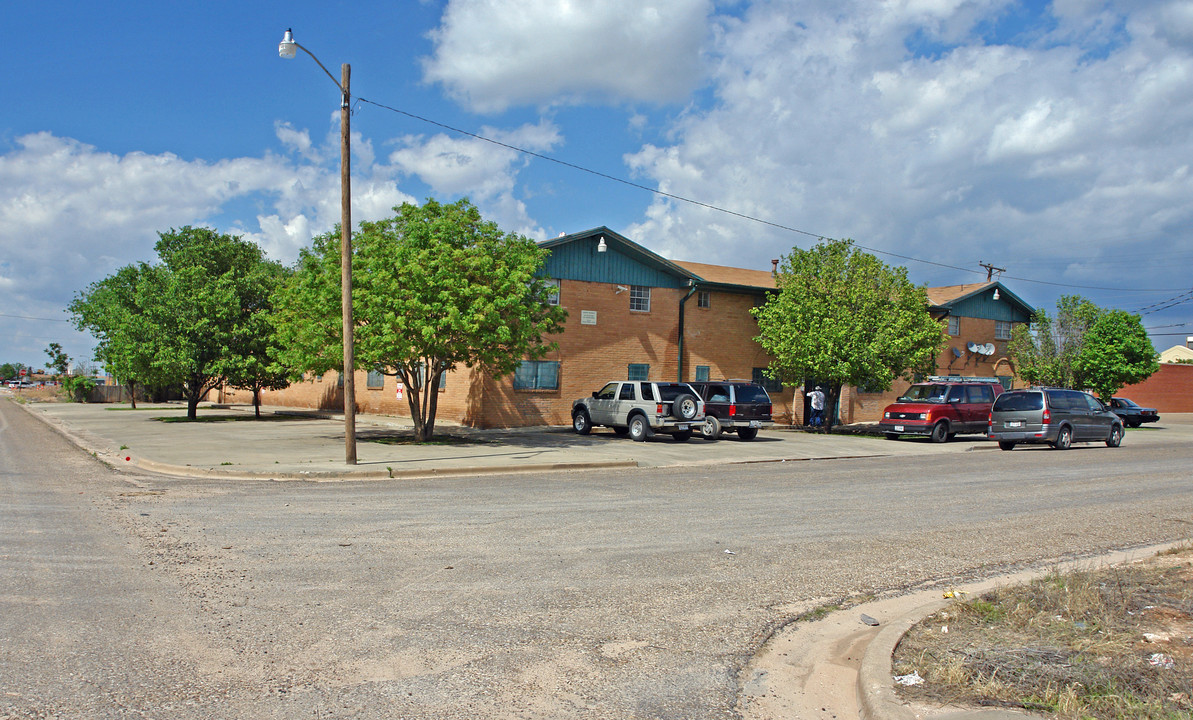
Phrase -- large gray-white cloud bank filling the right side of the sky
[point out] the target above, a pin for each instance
(1031, 153)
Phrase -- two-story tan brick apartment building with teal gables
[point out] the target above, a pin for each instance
(633, 314)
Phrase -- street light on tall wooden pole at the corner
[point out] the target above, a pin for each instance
(288, 49)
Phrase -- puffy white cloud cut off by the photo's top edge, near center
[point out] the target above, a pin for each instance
(494, 54)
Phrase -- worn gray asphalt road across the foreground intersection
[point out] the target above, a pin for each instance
(590, 594)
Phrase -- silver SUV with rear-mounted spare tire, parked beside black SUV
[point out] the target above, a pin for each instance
(640, 409)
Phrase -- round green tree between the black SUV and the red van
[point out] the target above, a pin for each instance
(843, 318)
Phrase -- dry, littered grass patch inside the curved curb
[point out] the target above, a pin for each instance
(1115, 643)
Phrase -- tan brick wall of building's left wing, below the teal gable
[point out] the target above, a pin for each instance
(720, 337)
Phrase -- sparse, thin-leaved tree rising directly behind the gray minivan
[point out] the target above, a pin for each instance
(1047, 351)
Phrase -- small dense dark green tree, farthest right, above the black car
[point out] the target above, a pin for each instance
(1116, 352)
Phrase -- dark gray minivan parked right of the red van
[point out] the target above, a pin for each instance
(1059, 418)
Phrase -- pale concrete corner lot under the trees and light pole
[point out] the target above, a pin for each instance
(289, 444)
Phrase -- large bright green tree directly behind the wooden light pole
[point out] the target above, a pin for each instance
(435, 287)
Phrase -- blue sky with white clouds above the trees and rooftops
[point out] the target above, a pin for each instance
(1052, 140)
